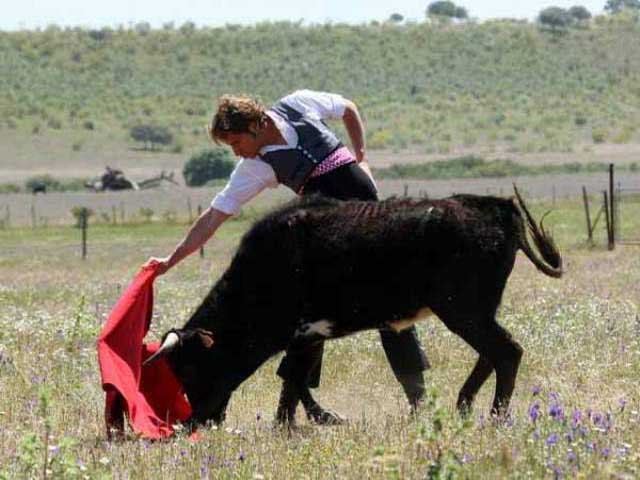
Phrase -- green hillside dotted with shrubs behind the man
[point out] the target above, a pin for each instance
(421, 86)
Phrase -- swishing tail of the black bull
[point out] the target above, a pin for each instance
(551, 262)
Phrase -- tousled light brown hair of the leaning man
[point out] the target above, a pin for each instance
(234, 115)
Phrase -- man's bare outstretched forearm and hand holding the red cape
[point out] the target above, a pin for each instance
(201, 231)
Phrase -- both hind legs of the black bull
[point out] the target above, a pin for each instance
(497, 349)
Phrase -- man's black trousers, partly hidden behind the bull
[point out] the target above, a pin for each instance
(403, 349)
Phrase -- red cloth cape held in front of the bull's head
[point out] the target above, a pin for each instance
(151, 397)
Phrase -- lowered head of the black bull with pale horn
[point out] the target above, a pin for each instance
(207, 371)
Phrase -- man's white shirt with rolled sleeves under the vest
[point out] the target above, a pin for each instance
(252, 175)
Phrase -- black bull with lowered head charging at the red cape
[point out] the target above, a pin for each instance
(318, 269)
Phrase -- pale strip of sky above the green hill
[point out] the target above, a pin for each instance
(30, 14)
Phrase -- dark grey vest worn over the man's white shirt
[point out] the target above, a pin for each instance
(315, 143)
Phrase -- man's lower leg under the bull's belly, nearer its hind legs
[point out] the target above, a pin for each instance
(407, 361)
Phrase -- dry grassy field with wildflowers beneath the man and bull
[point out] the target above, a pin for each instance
(575, 411)
